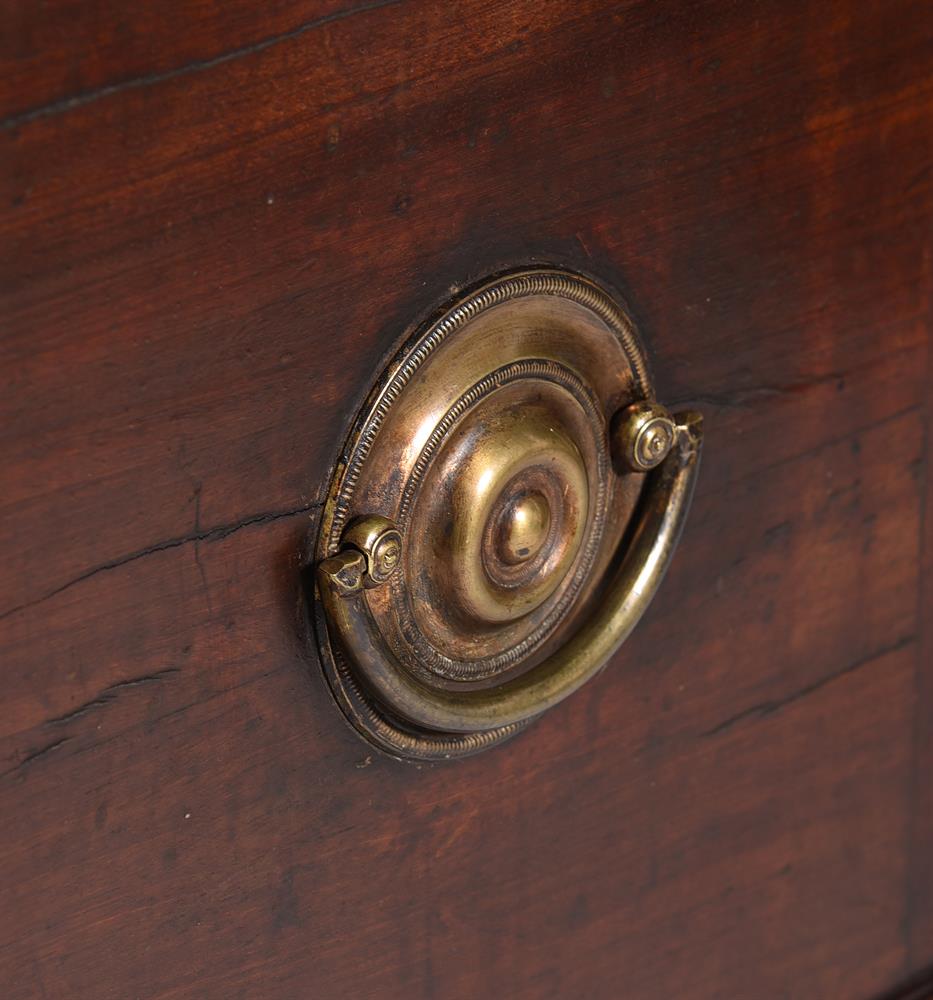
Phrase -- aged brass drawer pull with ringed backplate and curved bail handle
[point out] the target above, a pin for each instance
(471, 564)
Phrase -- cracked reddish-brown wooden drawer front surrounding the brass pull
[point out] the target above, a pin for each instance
(215, 223)
